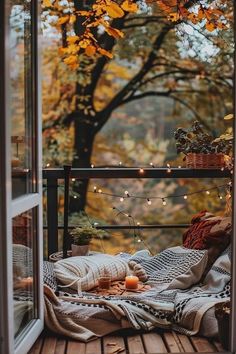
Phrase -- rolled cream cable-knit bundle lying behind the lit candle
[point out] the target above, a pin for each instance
(82, 273)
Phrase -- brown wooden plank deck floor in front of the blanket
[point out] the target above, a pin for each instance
(127, 343)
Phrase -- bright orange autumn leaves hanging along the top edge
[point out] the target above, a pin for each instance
(101, 15)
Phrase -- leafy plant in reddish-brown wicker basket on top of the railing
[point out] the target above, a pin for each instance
(201, 149)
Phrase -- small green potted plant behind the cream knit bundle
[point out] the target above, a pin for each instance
(81, 237)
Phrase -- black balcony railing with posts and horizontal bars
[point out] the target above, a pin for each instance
(53, 175)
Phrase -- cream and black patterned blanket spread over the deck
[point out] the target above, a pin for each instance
(168, 304)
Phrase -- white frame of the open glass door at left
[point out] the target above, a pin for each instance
(10, 208)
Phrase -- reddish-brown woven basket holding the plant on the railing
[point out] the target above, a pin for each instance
(213, 161)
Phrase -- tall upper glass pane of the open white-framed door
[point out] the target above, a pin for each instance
(21, 97)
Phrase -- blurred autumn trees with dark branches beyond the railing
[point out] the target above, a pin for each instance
(163, 74)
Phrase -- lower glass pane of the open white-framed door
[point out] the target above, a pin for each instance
(24, 273)
